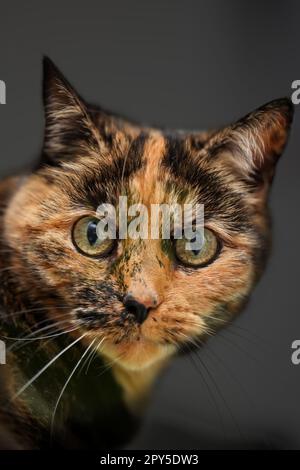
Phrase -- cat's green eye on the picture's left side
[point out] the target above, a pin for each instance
(86, 240)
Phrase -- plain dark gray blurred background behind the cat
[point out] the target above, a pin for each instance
(187, 64)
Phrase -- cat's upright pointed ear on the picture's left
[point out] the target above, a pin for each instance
(69, 129)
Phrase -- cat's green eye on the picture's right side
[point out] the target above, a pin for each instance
(197, 258)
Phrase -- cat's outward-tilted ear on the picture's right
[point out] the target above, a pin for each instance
(253, 145)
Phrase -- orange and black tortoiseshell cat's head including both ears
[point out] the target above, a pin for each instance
(143, 299)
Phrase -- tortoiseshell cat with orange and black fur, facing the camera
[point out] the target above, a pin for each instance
(89, 325)
